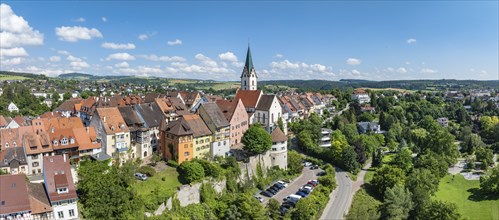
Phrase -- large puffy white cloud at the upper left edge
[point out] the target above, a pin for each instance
(15, 31)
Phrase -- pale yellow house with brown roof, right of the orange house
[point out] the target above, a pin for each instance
(202, 136)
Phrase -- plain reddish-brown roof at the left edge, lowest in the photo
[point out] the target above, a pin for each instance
(14, 194)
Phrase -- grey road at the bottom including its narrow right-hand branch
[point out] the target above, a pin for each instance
(341, 198)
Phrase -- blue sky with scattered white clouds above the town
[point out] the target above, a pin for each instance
(330, 40)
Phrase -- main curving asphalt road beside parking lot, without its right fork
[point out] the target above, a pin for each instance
(340, 198)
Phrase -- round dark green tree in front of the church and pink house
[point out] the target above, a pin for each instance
(256, 140)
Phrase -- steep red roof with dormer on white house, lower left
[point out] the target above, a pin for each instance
(58, 173)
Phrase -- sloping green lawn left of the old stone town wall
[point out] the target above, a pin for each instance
(154, 190)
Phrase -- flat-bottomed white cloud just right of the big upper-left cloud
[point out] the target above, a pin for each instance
(76, 33)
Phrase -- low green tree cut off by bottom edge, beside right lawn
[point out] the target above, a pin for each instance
(439, 210)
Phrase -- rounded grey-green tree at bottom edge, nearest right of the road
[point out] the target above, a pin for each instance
(397, 203)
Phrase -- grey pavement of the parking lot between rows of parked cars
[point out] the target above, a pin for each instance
(307, 174)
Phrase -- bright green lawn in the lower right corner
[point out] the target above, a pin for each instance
(457, 190)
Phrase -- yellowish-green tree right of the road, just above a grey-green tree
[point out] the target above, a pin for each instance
(387, 177)
